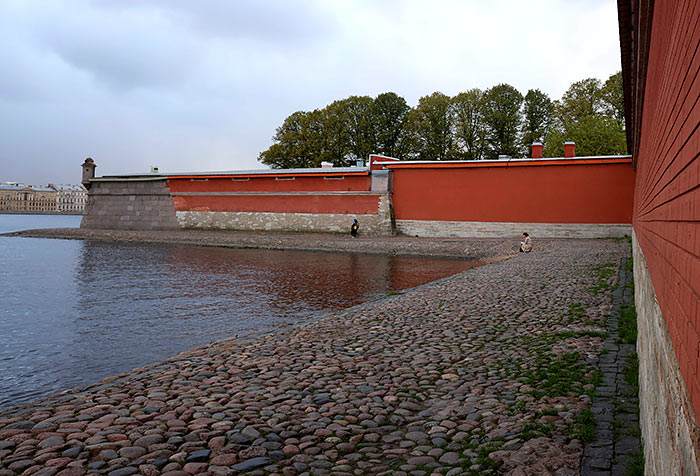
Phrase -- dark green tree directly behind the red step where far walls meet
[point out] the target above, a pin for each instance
(388, 114)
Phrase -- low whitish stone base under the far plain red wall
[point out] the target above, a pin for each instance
(467, 229)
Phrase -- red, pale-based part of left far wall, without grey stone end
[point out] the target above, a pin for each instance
(286, 200)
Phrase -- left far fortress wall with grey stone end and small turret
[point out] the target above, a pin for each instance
(302, 200)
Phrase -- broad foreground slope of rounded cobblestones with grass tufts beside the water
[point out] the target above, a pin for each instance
(487, 372)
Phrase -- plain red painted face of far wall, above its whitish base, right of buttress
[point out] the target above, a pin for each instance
(586, 191)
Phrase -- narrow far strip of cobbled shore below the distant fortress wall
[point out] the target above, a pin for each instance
(453, 248)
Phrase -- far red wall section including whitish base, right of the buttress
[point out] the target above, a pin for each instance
(574, 197)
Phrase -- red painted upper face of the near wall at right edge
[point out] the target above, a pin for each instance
(667, 194)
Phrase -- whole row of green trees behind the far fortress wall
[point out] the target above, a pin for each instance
(473, 125)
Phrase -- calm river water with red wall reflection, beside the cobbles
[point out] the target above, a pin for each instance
(74, 312)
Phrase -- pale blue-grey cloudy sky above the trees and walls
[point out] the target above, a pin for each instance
(202, 85)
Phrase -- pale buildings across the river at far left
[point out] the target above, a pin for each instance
(18, 197)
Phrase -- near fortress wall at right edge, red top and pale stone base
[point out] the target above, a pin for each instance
(660, 43)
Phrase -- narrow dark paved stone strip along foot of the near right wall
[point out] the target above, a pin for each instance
(615, 405)
